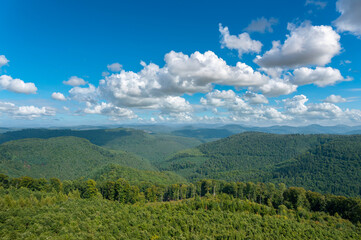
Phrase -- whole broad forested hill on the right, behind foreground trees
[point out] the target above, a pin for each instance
(326, 163)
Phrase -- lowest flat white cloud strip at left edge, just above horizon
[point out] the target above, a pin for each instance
(25, 112)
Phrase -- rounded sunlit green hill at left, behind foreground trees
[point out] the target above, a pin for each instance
(61, 157)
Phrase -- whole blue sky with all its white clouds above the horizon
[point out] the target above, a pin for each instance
(257, 63)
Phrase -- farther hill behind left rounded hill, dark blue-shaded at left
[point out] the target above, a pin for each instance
(154, 147)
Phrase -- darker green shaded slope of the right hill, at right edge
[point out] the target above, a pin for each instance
(332, 167)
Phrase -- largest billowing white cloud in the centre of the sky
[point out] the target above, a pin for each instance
(182, 74)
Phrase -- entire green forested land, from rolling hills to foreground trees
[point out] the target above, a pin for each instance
(135, 184)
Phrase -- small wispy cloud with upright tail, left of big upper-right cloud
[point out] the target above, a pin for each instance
(242, 43)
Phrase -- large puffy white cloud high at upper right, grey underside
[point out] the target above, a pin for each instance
(305, 45)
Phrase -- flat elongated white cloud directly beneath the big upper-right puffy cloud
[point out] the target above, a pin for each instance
(320, 76)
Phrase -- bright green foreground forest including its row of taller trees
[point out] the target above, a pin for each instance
(208, 209)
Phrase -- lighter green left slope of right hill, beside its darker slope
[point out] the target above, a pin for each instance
(247, 152)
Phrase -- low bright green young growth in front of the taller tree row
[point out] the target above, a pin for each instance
(35, 215)
